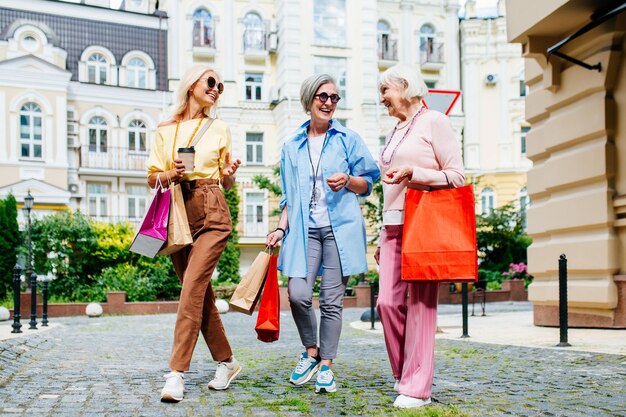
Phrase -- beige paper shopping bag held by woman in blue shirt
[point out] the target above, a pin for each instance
(248, 291)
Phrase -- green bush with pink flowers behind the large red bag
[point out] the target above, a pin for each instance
(501, 238)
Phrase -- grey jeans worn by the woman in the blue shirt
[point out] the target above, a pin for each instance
(322, 250)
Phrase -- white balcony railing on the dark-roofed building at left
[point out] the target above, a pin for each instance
(114, 158)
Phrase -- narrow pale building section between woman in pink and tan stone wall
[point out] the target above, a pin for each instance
(495, 128)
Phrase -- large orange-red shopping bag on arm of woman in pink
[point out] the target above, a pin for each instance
(439, 236)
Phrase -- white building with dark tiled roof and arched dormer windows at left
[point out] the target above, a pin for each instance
(82, 89)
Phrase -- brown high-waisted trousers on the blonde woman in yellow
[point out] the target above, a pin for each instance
(210, 224)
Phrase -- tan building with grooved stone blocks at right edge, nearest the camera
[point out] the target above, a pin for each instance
(578, 148)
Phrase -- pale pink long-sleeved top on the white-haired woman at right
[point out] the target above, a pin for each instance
(430, 148)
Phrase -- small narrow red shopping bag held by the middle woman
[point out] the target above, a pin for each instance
(268, 322)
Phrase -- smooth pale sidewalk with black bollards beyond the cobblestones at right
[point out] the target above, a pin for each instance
(515, 328)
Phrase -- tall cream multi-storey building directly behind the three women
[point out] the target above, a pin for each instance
(265, 49)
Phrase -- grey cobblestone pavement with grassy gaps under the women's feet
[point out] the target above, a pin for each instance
(112, 366)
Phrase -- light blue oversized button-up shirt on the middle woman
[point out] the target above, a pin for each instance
(344, 151)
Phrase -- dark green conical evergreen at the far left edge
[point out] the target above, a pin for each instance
(9, 243)
